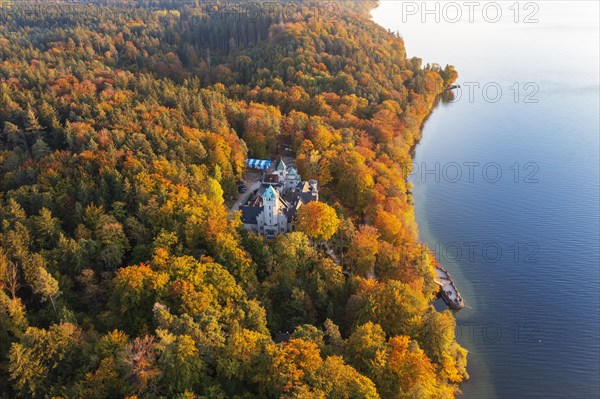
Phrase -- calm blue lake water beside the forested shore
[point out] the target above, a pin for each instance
(507, 188)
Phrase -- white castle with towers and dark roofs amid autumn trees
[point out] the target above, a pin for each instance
(273, 209)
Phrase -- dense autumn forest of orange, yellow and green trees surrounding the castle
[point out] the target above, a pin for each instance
(123, 131)
